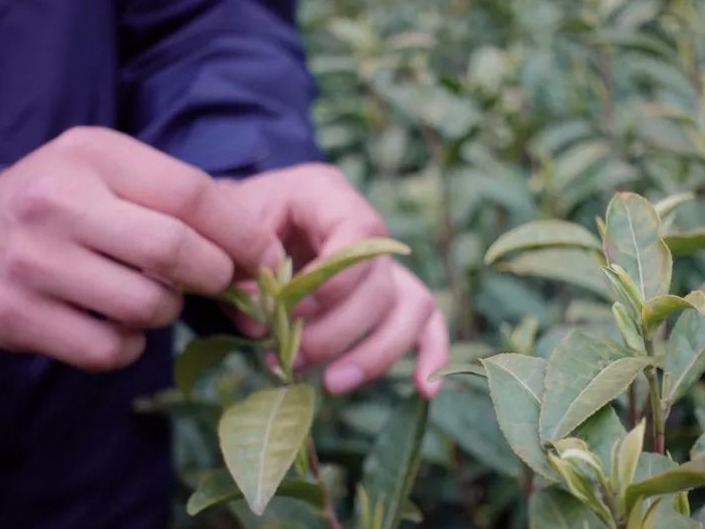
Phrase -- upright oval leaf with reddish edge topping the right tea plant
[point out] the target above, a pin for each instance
(633, 241)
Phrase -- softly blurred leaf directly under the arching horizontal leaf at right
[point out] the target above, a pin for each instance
(570, 265)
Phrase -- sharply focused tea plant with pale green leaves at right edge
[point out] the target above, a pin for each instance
(561, 414)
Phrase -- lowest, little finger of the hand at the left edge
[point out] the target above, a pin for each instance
(66, 334)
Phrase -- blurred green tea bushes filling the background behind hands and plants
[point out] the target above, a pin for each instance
(461, 119)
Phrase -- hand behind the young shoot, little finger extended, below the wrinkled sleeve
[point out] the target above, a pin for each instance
(365, 318)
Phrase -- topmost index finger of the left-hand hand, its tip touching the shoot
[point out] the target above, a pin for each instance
(141, 174)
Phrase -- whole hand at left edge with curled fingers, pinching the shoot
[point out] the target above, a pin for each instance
(95, 222)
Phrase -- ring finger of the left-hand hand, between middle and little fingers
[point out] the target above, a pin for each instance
(95, 283)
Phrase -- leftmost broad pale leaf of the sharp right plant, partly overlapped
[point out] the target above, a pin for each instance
(516, 386)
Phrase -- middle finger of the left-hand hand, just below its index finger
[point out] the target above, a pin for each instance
(156, 243)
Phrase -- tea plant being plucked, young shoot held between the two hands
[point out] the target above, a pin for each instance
(265, 438)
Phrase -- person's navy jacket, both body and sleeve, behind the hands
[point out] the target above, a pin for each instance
(218, 83)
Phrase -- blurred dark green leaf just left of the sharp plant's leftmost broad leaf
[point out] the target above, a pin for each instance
(467, 416)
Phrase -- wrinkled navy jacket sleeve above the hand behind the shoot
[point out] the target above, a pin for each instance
(221, 84)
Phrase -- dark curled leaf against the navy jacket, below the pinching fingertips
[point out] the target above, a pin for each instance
(205, 353)
